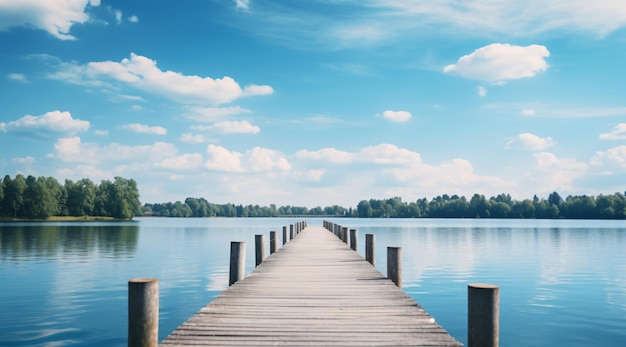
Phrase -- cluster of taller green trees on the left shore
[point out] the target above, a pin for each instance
(41, 197)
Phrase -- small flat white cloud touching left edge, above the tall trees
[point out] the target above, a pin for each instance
(51, 122)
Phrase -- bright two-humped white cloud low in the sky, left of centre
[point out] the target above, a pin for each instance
(256, 159)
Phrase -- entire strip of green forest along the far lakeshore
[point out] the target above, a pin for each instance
(42, 197)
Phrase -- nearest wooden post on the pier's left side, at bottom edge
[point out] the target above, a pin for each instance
(143, 312)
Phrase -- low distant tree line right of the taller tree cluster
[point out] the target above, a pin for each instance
(443, 206)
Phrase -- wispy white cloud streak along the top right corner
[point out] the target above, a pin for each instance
(512, 17)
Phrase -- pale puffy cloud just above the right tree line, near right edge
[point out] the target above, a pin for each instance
(556, 174)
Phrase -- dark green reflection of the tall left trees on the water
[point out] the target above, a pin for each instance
(31, 241)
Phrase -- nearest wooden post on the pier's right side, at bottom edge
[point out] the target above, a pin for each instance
(483, 315)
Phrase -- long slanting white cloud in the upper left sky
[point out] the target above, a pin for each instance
(142, 73)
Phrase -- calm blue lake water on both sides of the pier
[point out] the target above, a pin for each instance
(561, 282)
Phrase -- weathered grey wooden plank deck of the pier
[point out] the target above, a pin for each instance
(315, 291)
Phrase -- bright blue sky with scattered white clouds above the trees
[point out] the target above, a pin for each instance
(317, 102)
